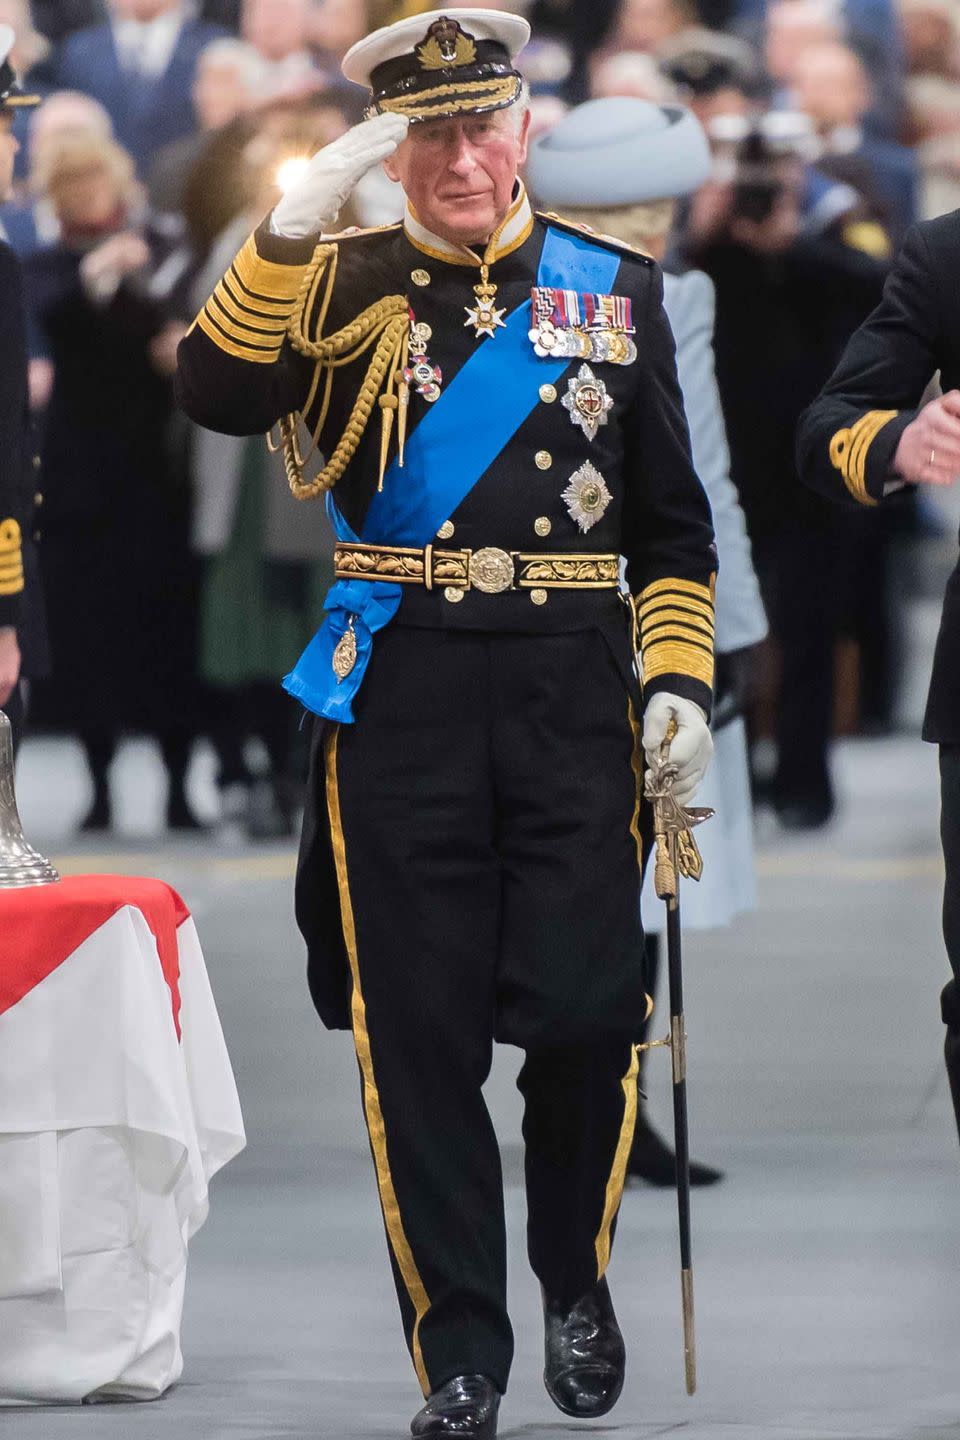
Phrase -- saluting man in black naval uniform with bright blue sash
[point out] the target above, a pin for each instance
(497, 405)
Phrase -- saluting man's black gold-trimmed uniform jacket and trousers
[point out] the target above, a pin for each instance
(473, 849)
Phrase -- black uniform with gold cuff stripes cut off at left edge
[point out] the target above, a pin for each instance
(21, 604)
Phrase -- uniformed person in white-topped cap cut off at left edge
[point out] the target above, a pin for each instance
(22, 637)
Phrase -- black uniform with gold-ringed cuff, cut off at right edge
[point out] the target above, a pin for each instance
(847, 444)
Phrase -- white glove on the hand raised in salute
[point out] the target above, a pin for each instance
(314, 202)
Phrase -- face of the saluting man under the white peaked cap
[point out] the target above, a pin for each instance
(460, 175)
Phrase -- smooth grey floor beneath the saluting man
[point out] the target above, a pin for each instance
(827, 1265)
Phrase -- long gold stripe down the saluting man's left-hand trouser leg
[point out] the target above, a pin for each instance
(371, 1095)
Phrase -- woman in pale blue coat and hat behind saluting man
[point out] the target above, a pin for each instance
(621, 166)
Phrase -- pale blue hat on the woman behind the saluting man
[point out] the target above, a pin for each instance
(618, 152)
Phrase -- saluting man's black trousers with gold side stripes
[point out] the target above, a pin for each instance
(484, 817)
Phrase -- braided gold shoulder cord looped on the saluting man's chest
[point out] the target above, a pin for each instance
(386, 328)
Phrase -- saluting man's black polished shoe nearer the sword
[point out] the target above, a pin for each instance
(587, 1359)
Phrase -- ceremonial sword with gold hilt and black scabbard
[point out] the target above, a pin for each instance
(677, 855)
